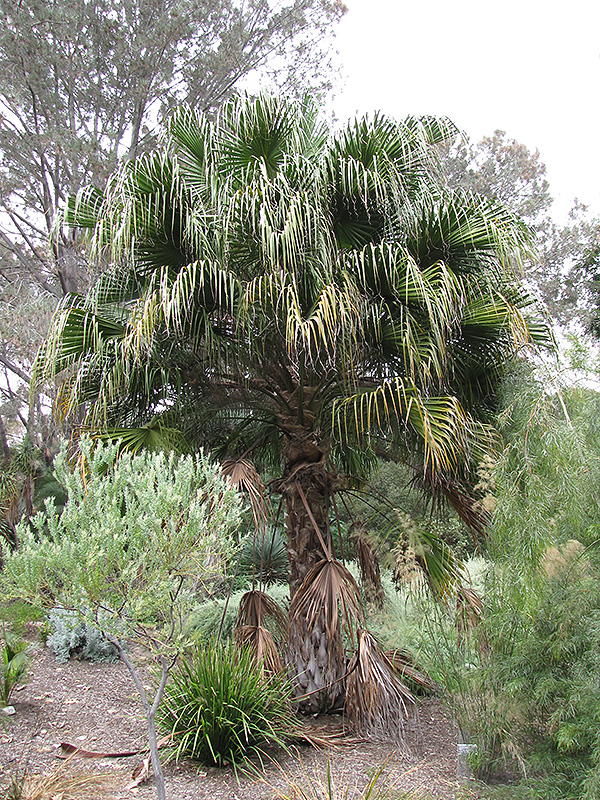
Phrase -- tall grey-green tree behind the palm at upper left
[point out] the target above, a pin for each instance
(83, 86)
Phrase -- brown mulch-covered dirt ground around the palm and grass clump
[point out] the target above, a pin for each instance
(95, 707)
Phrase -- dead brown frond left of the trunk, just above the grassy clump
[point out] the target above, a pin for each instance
(250, 632)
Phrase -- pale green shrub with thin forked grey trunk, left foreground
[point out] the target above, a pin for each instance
(139, 537)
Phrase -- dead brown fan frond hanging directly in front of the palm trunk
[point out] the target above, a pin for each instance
(328, 593)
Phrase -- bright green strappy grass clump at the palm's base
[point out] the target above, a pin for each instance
(221, 708)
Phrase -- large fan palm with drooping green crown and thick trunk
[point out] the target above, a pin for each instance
(305, 300)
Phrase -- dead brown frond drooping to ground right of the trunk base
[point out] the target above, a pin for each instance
(376, 699)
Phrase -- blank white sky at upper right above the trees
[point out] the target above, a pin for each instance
(528, 67)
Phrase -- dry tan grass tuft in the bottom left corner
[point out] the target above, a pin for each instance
(62, 784)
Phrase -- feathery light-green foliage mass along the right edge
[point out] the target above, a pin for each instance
(525, 682)
